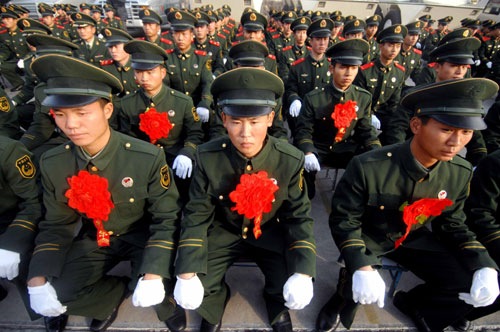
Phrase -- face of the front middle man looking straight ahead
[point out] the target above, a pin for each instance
(248, 134)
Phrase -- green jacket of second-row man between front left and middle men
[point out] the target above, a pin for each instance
(186, 134)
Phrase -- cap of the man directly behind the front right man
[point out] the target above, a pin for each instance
(459, 51)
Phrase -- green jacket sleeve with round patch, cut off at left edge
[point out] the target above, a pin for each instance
(20, 205)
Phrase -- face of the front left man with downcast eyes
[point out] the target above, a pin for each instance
(87, 126)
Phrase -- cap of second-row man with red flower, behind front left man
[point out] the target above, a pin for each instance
(145, 55)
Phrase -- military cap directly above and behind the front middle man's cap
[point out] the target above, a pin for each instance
(248, 53)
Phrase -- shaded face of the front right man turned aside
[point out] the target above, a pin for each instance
(435, 141)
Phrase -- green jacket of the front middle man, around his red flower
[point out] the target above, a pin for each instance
(287, 229)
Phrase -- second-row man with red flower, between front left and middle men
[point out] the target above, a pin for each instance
(181, 140)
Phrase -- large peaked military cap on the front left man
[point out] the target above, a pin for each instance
(72, 82)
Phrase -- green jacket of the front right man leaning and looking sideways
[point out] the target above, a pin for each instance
(366, 219)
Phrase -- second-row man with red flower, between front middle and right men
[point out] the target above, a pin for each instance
(324, 135)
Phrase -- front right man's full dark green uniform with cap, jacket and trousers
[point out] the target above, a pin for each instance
(367, 217)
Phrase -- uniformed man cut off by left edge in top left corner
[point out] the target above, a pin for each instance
(12, 48)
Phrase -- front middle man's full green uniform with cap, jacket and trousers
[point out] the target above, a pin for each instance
(213, 236)
